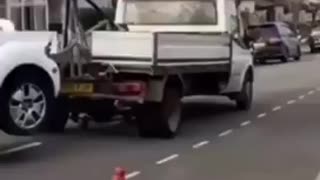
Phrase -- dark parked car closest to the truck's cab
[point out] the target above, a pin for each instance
(274, 40)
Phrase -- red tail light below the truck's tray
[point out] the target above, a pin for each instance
(130, 88)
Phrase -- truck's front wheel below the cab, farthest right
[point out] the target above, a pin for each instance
(244, 98)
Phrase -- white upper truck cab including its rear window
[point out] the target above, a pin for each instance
(182, 16)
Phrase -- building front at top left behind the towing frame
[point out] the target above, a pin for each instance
(39, 14)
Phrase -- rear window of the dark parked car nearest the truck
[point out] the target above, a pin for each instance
(263, 32)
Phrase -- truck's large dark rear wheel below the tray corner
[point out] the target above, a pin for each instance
(163, 119)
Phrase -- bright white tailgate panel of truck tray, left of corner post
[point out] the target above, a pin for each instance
(122, 47)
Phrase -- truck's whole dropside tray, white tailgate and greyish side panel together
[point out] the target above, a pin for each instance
(162, 52)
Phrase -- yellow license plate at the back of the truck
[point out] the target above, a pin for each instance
(77, 88)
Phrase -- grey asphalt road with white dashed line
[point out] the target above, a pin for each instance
(277, 139)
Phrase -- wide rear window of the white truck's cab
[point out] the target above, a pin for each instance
(171, 12)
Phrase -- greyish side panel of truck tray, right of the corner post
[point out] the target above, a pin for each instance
(184, 48)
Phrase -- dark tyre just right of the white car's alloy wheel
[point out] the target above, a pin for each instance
(60, 115)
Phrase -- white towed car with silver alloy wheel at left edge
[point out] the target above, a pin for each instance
(29, 80)
